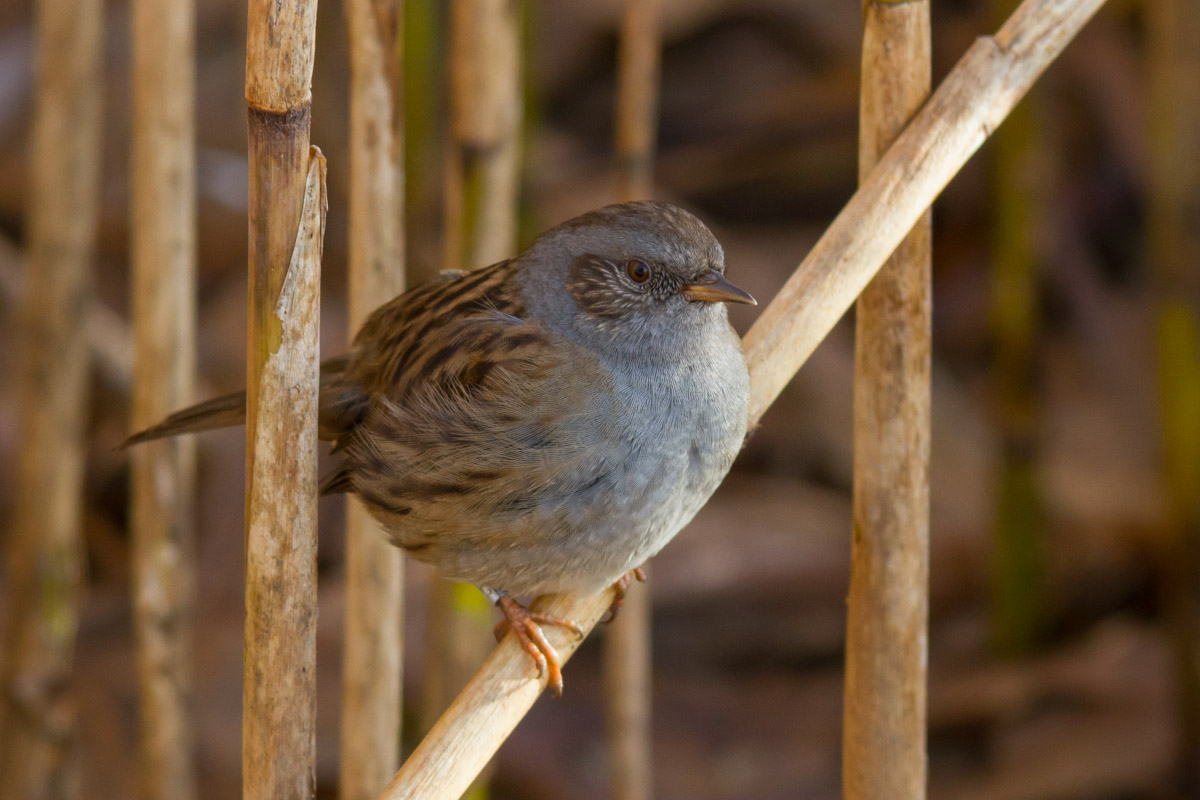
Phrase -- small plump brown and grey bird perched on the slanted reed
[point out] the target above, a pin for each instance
(545, 424)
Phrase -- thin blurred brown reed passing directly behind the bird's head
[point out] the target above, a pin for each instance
(628, 664)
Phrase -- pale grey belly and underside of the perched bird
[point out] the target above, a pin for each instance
(658, 472)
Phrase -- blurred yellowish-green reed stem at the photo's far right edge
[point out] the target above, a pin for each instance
(1174, 239)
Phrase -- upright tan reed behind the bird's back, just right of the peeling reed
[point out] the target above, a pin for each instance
(371, 665)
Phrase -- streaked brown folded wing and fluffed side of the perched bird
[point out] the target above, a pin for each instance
(485, 418)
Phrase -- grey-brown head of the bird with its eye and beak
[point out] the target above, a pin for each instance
(629, 274)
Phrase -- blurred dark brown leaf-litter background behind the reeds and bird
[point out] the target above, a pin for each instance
(1064, 593)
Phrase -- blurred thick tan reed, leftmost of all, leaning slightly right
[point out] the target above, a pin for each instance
(38, 759)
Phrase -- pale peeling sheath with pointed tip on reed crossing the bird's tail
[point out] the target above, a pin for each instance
(280, 689)
